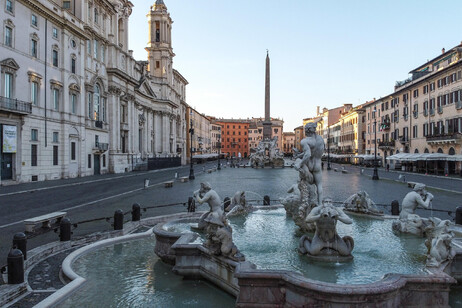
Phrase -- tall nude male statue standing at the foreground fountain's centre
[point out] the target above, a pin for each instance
(309, 165)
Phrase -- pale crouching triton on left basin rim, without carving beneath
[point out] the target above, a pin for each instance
(216, 212)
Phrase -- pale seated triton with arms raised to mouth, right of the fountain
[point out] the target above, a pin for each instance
(409, 222)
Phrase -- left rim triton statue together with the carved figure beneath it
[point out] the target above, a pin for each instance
(218, 232)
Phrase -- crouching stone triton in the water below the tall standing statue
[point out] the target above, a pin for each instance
(326, 242)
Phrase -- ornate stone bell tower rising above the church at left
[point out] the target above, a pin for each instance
(160, 52)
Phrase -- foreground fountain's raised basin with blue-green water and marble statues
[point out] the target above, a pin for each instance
(282, 267)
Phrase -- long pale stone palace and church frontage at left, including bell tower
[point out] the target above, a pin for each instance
(73, 100)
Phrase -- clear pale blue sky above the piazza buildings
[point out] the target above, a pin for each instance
(324, 53)
